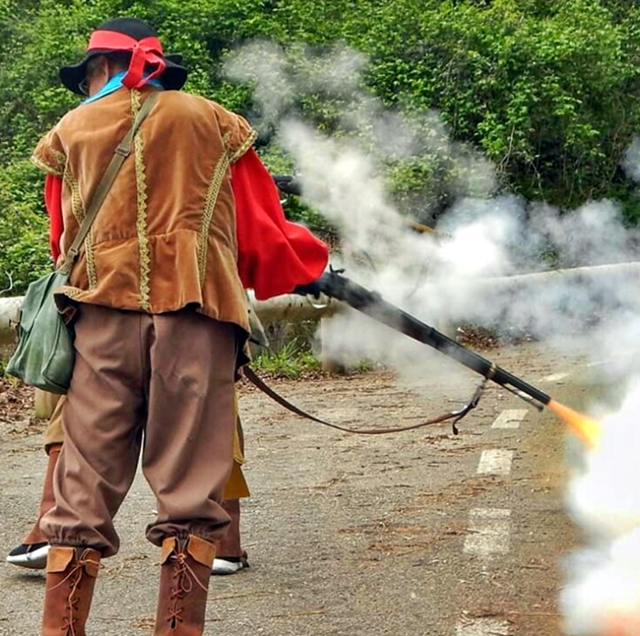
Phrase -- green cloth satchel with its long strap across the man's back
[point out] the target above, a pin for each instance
(45, 354)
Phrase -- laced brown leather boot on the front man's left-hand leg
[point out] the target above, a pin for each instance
(71, 576)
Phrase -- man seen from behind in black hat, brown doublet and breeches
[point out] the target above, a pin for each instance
(160, 316)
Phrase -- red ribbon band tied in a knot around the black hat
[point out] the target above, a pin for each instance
(145, 51)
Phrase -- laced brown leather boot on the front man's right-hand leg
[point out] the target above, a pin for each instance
(184, 585)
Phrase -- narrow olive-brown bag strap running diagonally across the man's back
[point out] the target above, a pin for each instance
(122, 151)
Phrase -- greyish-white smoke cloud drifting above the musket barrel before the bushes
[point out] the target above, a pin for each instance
(484, 235)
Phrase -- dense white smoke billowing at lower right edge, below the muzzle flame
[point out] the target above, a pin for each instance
(603, 590)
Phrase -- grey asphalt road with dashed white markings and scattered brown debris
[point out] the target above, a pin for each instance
(413, 534)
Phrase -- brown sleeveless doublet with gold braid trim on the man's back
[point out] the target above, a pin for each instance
(165, 237)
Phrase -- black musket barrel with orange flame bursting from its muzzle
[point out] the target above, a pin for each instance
(334, 285)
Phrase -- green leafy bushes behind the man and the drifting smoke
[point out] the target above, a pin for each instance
(548, 90)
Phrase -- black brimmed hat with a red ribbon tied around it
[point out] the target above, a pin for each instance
(140, 39)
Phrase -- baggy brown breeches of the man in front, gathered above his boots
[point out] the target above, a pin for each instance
(160, 384)
